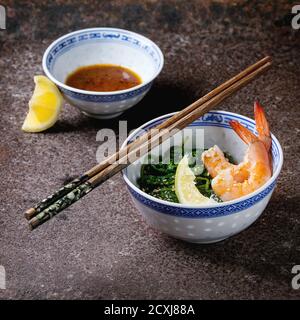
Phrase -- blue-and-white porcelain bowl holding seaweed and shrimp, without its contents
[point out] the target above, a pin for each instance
(214, 222)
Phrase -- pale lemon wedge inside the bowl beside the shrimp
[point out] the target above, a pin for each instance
(185, 188)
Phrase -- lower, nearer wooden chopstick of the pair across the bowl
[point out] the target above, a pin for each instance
(135, 153)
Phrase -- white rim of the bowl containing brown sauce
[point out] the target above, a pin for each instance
(100, 93)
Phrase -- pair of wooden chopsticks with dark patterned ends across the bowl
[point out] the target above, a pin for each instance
(82, 185)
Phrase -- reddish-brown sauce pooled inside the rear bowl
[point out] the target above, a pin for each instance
(103, 77)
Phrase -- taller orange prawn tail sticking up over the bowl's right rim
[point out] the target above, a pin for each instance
(262, 125)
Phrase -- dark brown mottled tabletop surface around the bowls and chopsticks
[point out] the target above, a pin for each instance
(100, 247)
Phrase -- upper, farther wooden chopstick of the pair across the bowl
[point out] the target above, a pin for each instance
(30, 213)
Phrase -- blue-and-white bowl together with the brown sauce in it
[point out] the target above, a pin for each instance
(103, 71)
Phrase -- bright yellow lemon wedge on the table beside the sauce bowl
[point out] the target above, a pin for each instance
(44, 106)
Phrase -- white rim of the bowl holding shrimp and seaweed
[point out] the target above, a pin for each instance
(207, 206)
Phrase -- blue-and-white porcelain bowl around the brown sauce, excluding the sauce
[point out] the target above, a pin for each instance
(99, 46)
